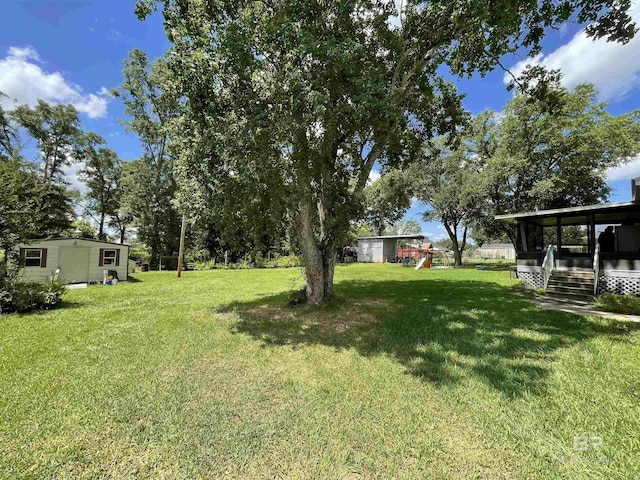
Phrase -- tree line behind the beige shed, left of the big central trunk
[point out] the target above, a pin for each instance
(123, 200)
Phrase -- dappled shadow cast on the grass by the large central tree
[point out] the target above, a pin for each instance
(441, 331)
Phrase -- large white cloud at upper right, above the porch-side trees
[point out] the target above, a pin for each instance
(613, 68)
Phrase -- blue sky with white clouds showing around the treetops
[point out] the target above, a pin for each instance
(71, 51)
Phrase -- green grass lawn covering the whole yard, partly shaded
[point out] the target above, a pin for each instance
(410, 374)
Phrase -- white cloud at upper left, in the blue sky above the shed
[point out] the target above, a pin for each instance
(23, 80)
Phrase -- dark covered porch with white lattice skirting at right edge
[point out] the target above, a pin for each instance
(602, 239)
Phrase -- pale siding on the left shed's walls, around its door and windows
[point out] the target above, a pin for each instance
(39, 274)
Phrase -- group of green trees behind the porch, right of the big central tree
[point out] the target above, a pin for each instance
(537, 154)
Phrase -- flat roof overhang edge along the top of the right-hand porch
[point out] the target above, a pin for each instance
(609, 213)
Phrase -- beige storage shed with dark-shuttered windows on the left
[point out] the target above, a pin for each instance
(76, 260)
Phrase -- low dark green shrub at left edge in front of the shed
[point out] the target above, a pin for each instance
(21, 297)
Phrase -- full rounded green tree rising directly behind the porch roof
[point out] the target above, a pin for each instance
(554, 157)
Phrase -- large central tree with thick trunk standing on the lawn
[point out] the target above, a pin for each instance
(304, 96)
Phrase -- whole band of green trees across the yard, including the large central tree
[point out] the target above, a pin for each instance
(264, 120)
